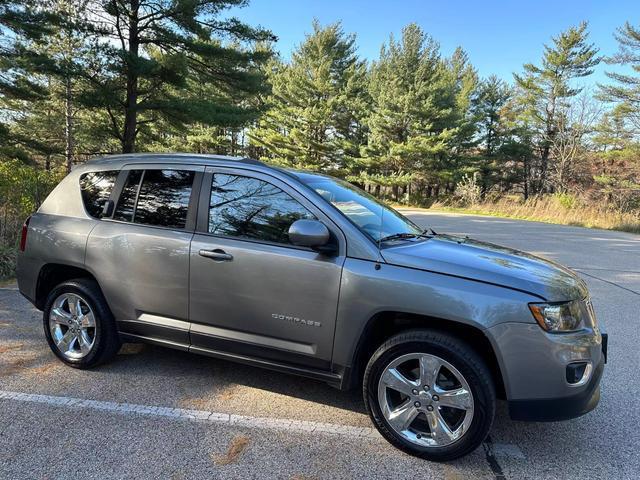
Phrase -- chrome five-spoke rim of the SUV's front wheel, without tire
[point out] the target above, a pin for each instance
(425, 400)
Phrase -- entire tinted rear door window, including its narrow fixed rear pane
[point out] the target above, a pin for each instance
(156, 197)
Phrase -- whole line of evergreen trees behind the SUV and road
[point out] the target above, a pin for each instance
(80, 78)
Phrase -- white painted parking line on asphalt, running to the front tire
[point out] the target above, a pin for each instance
(195, 415)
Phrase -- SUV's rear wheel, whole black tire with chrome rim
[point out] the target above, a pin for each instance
(59, 320)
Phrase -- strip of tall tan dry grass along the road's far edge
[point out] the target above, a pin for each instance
(550, 210)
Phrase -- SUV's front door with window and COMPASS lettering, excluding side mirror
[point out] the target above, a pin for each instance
(252, 292)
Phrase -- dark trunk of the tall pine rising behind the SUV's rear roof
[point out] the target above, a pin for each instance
(131, 103)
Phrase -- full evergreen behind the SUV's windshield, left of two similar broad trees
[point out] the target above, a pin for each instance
(318, 100)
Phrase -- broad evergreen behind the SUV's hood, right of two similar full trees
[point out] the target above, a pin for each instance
(415, 101)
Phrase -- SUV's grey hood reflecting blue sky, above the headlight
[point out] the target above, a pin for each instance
(486, 262)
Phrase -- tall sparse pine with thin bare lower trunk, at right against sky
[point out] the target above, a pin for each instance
(546, 88)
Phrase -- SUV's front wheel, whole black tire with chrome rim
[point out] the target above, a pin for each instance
(404, 357)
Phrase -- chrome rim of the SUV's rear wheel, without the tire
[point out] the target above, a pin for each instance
(72, 325)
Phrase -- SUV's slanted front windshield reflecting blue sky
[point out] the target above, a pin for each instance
(371, 216)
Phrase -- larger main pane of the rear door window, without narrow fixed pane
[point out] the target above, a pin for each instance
(164, 198)
